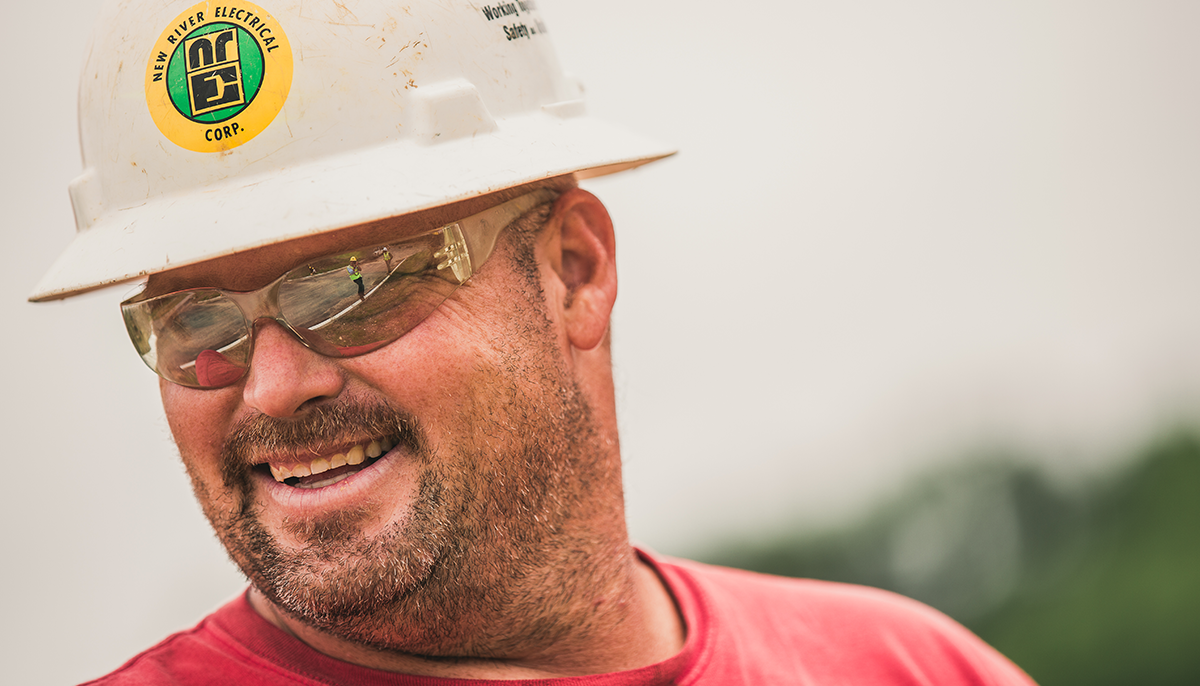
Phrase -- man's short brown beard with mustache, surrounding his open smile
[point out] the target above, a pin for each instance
(465, 574)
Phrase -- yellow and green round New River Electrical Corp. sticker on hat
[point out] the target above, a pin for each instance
(218, 76)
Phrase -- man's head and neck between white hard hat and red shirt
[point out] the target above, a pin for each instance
(454, 494)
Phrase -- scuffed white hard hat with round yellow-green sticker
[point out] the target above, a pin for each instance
(214, 128)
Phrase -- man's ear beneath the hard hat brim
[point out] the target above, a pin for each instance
(584, 255)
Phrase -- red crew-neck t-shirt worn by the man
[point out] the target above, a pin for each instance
(742, 629)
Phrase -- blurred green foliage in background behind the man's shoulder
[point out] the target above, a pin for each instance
(1096, 586)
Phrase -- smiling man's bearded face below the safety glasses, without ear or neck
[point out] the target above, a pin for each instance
(491, 446)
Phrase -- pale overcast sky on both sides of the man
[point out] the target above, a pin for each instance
(896, 234)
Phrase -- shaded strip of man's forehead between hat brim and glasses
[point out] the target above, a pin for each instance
(256, 268)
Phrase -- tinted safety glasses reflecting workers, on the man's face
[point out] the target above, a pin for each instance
(340, 306)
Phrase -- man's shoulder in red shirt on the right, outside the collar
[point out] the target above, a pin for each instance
(833, 631)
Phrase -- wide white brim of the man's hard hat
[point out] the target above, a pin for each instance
(353, 189)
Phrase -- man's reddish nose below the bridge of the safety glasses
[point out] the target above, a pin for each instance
(285, 376)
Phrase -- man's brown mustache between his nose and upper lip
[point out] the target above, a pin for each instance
(326, 425)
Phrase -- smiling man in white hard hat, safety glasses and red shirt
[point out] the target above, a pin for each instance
(424, 483)
